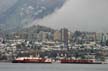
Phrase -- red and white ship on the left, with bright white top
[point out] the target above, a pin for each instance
(32, 60)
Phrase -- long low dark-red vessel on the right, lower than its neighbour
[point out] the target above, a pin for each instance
(79, 61)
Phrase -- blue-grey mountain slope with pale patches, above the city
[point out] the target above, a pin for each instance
(24, 12)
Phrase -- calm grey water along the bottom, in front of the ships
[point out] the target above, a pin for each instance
(53, 67)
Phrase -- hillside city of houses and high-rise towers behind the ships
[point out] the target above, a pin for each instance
(73, 47)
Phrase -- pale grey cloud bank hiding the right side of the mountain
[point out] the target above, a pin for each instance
(84, 15)
